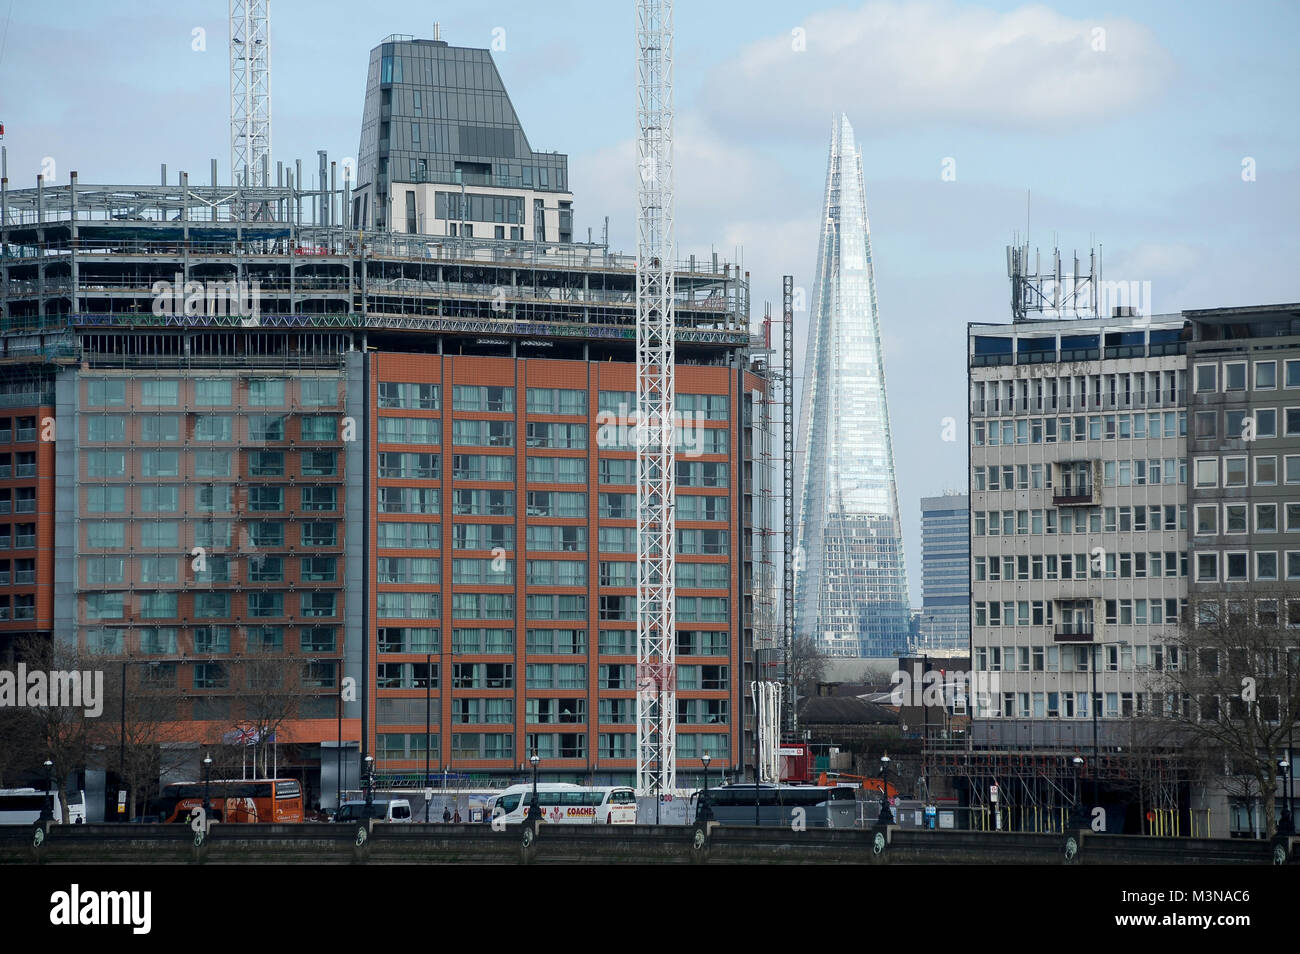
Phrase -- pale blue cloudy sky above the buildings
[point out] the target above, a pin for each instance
(1163, 133)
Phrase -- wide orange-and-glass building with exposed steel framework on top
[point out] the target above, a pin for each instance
(391, 474)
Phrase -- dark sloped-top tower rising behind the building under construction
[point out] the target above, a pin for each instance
(443, 151)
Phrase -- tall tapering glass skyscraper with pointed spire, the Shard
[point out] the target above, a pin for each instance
(851, 580)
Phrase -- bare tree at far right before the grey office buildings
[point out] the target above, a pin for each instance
(1236, 695)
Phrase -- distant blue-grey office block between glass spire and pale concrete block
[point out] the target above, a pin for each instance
(946, 618)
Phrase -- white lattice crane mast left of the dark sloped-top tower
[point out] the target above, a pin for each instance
(250, 93)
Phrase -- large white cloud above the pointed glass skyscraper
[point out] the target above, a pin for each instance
(903, 64)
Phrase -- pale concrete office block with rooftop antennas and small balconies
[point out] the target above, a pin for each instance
(1078, 523)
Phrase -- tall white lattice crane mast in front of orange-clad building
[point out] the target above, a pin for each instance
(657, 687)
